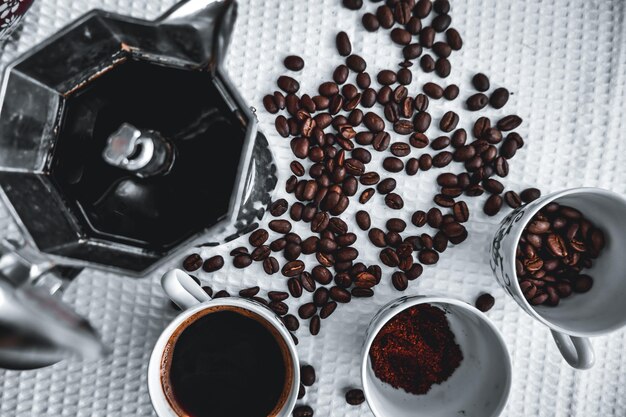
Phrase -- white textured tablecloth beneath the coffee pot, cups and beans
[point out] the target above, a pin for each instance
(565, 62)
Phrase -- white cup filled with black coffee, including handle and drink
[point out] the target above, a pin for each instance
(223, 357)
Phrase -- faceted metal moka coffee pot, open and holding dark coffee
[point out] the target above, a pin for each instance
(122, 141)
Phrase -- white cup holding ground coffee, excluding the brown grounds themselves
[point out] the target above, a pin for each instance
(479, 387)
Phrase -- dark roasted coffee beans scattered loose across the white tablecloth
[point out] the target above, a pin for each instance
(333, 133)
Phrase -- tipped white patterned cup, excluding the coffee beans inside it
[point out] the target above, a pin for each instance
(597, 312)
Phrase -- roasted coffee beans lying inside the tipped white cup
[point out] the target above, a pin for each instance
(557, 245)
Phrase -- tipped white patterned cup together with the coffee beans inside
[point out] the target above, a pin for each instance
(561, 257)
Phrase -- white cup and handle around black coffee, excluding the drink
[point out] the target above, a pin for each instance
(188, 295)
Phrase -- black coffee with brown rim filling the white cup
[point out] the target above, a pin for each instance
(226, 361)
